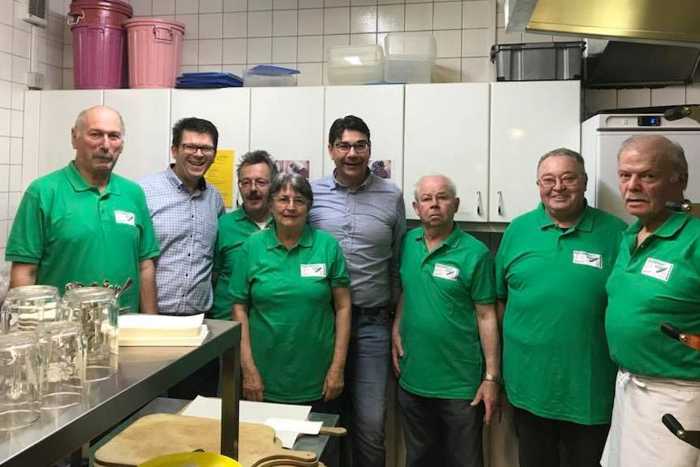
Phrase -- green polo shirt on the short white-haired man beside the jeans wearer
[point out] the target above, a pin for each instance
(442, 350)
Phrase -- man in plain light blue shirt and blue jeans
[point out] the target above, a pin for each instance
(365, 213)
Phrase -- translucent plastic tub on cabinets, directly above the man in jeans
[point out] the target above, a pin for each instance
(409, 57)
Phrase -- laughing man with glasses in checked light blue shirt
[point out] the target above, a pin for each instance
(185, 210)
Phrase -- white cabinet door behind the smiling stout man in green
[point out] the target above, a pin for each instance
(528, 119)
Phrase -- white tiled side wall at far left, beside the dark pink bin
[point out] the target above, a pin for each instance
(23, 48)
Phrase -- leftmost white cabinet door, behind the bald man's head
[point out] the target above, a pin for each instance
(57, 111)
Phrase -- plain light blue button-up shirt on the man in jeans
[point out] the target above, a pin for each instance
(369, 223)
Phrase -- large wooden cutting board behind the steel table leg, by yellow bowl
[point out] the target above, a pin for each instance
(160, 434)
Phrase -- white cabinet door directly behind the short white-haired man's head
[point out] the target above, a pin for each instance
(446, 132)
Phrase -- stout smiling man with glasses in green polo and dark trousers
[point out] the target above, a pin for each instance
(551, 269)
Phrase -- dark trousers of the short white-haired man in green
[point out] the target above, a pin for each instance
(441, 432)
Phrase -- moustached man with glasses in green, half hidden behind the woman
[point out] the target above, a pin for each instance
(255, 173)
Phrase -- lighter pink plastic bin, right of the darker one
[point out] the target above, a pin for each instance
(155, 52)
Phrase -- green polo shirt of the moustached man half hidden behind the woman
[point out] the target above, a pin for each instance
(234, 229)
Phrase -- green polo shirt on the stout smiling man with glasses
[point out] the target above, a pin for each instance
(556, 362)
